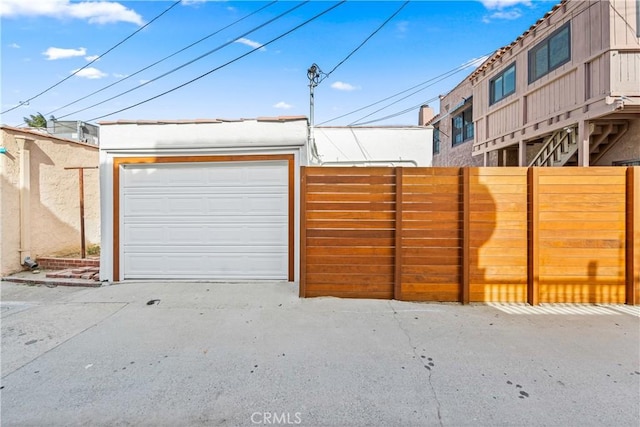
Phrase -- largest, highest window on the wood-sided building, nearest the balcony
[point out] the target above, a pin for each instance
(550, 54)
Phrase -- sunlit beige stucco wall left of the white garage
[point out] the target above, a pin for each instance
(54, 197)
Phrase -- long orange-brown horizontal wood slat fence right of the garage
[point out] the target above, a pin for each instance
(531, 235)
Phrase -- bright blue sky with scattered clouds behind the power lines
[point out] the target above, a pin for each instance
(46, 41)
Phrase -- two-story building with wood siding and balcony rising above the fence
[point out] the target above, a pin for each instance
(566, 92)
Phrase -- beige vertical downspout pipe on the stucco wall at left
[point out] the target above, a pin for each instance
(24, 187)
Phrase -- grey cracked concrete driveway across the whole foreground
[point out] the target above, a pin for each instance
(255, 354)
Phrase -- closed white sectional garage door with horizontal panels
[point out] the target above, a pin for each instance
(218, 220)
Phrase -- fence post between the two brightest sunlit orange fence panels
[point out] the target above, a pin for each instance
(533, 251)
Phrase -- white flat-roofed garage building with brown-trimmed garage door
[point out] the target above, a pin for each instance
(201, 199)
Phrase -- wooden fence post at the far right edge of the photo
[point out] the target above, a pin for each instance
(632, 255)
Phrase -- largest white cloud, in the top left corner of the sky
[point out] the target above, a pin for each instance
(95, 12)
